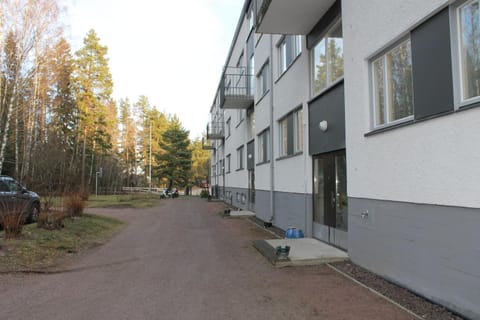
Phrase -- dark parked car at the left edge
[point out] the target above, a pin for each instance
(14, 196)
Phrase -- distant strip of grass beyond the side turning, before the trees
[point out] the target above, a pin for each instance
(139, 200)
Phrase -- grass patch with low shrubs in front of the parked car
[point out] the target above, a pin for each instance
(37, 248)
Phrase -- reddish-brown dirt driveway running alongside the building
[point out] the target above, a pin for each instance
(181, 260)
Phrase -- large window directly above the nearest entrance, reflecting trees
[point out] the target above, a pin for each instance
(328, 59)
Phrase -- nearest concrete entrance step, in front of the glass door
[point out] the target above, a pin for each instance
(303, 252)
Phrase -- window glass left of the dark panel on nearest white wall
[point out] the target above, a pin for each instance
(392, 85)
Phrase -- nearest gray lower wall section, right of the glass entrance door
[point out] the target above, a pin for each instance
(432, 250)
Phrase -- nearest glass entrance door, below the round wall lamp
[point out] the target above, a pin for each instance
(330, 218)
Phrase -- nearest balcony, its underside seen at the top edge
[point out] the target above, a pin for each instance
(290, 17)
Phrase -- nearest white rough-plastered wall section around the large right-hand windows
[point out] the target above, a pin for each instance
(434, 162)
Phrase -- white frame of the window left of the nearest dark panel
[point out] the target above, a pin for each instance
(386, 87)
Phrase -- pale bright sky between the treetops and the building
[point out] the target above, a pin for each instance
(172, 52)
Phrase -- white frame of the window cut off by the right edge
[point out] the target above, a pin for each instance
(458, 74)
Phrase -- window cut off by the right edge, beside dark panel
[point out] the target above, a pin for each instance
(468, 16)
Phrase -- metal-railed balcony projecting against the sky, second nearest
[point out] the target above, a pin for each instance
(236, 88)
